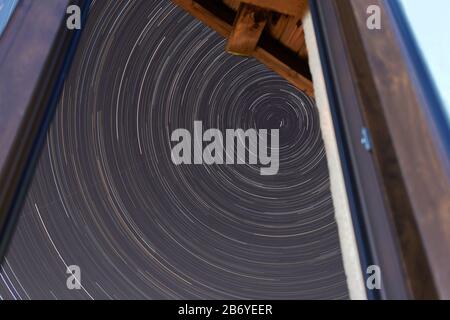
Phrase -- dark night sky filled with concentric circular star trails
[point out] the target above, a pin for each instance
(107, 197)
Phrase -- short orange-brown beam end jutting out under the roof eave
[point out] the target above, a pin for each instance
(248, 27)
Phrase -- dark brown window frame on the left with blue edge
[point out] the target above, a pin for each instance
(28, 114)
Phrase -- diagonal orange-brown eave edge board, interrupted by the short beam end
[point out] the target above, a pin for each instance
(271, 61)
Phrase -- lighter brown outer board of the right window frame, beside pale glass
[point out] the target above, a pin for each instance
(423, 162)
